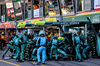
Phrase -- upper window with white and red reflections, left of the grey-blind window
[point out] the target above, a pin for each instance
(67, 7)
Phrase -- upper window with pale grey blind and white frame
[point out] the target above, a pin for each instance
(83, 5)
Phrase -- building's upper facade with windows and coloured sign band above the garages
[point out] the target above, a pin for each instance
(31, 11)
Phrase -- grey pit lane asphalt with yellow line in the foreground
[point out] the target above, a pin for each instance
(13, 62)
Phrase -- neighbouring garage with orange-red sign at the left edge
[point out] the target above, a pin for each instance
(6, 29)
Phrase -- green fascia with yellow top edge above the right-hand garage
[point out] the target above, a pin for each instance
(94, 17)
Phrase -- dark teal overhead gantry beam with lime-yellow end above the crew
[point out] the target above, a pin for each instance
(69, 23)
